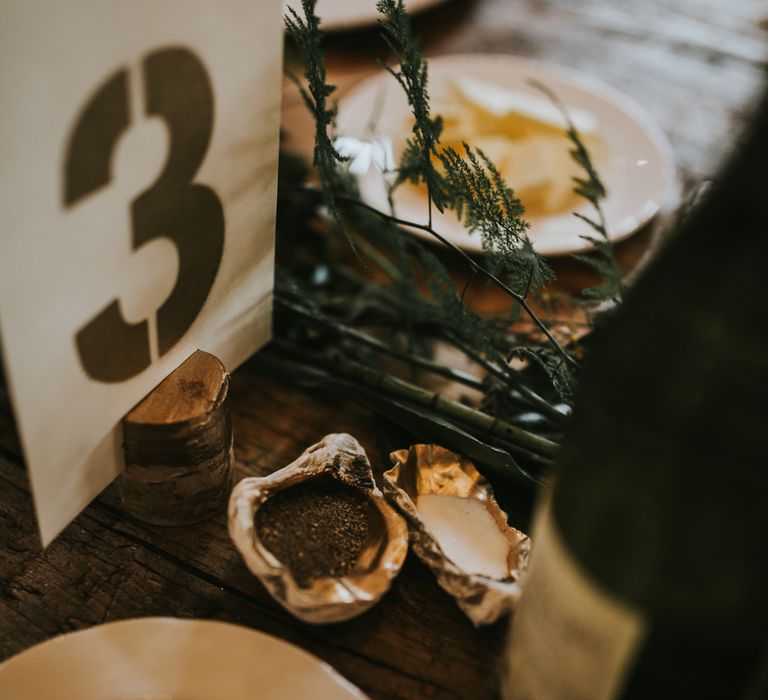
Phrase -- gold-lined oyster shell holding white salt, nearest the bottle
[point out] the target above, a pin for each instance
(464, 538)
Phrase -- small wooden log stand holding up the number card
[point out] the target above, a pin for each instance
(178, 446)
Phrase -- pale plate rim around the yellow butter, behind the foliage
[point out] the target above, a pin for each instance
(637, 164)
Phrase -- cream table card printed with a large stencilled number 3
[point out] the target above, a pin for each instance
(138, 144)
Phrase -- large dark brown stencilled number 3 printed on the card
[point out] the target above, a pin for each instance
(177, 89)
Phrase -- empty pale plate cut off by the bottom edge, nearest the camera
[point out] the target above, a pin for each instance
(159, 658)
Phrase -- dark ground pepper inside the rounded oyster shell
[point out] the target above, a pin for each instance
(317, 528)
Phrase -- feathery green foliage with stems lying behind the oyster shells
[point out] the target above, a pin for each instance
(326, 308)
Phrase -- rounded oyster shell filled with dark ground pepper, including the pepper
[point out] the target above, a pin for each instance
(318, 533)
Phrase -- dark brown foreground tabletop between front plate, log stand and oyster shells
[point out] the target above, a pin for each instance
(107, 566)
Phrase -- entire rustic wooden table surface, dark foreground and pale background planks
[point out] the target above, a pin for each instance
(694, 64)
